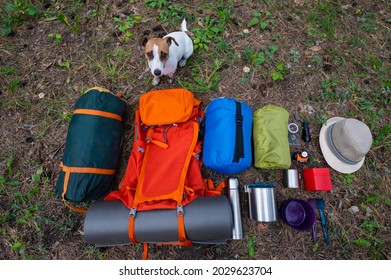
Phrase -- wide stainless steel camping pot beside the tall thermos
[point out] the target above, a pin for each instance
(262, 202)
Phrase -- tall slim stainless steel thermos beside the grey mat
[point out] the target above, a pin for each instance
(233, 194)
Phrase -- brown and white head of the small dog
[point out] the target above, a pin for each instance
(156, 51)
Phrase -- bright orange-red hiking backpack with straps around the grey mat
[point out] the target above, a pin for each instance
(163, 170)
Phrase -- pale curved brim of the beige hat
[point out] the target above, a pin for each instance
(332, 160)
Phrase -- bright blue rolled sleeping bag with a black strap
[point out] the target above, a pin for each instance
(227, 142)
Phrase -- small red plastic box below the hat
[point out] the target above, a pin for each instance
(317, 179)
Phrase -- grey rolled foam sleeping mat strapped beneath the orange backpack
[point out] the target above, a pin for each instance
(207, 220)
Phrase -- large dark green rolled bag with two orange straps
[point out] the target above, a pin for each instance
(92, 148)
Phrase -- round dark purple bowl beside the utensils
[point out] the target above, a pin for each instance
(298, 214)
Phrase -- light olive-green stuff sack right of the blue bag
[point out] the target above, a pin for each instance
(270, 133)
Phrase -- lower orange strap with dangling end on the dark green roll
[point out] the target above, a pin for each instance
(69, 169)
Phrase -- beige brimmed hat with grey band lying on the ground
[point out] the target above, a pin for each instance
(344, 143)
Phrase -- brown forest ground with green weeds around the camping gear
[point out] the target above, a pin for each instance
(317, 59)
